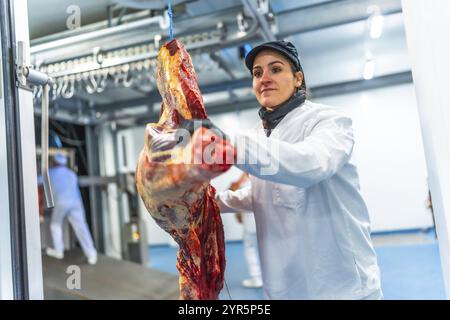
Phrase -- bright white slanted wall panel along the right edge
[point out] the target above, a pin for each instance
(427, 26)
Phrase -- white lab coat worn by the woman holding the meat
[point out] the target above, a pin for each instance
(312, 223)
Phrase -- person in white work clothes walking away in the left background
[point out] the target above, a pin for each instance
(68, 203)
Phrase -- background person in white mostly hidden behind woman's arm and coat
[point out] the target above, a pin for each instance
(250, 241)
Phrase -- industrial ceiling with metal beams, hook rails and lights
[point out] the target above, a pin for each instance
(101, 53)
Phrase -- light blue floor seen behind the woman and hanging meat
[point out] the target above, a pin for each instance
(407, 271)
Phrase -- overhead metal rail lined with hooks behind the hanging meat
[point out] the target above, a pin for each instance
(122, 67)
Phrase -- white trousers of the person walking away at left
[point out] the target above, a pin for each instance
(77, 219)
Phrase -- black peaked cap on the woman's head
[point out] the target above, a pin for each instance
(286, 48)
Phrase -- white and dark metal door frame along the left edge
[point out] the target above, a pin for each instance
(26, 260)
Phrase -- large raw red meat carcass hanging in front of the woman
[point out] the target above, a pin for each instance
(174, 185)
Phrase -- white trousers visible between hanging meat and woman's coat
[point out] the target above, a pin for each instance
(251, 245)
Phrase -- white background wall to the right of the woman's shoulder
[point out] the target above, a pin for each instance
(389, 154)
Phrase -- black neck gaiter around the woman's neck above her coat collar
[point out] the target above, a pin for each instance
(271, 119)
